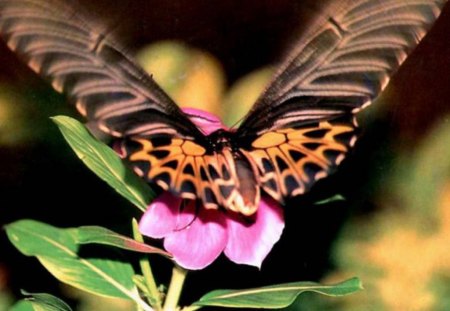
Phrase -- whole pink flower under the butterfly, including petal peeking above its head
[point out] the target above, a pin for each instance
(196, 236)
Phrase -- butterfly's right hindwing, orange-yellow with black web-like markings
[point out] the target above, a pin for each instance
(291, 160)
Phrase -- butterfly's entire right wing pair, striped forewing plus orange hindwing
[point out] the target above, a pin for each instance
(302, 126)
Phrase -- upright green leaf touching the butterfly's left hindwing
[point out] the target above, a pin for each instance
(104, 162)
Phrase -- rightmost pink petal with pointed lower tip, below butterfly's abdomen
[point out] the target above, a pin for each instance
(251, 243)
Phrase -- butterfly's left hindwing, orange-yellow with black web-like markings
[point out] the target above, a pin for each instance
(185, 168)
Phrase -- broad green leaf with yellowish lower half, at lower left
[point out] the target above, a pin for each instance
(57, 250)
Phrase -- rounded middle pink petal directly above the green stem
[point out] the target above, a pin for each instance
(200, 242)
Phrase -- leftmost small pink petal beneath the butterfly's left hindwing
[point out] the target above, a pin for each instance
(163, 217)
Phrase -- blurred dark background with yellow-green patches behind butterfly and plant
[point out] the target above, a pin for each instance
(392, 230)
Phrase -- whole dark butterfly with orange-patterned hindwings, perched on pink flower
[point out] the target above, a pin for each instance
(297, 132)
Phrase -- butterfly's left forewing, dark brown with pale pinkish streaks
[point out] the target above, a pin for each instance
(73, 53)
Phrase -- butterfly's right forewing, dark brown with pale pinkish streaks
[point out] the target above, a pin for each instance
(342, 63)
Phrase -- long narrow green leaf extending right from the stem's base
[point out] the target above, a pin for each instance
(275, 296)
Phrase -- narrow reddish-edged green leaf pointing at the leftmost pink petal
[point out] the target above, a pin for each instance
(99, 235)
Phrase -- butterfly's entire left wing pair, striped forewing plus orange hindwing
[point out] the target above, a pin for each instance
(114, 94)
